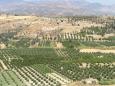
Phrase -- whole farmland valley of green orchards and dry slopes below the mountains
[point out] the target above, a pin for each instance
(57, 51)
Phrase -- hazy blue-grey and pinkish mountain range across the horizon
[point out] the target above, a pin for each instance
(55, 7)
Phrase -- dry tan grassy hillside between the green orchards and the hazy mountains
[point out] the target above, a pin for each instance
(38, 24)
